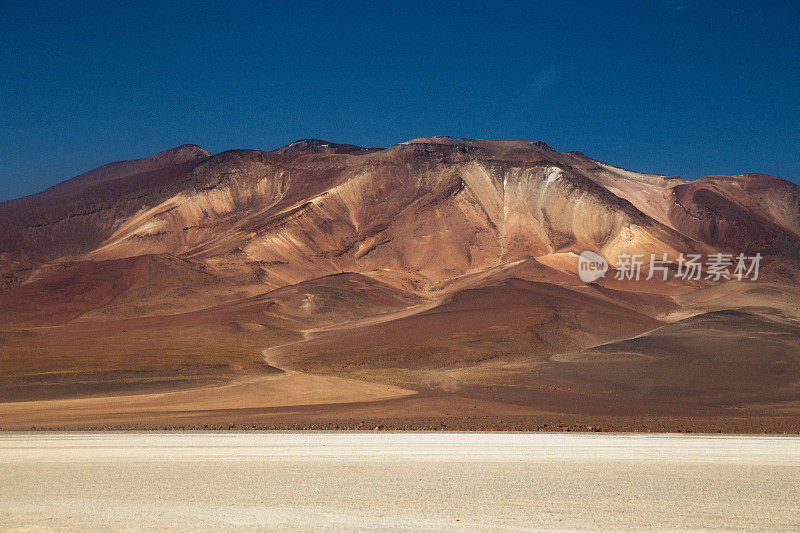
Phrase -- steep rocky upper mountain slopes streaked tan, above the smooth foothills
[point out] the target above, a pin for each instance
(431, 209)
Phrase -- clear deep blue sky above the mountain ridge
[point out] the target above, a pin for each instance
(678, 87)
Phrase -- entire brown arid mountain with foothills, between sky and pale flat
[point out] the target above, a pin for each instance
(429, 285)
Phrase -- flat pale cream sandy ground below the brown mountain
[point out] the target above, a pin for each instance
(395, 481)
